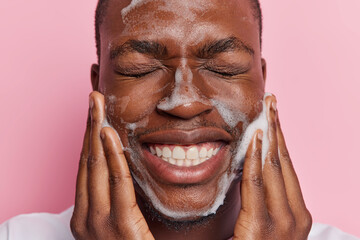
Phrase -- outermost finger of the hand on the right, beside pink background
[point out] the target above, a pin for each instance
(292, 185)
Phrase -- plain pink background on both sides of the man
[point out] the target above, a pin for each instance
(47, 48)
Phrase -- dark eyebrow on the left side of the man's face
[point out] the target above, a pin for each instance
(145, 47)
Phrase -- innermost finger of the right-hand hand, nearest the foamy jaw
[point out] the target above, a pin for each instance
(252, 189)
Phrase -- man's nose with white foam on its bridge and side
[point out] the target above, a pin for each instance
(186, 101)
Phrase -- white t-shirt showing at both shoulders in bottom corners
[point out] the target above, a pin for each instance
(46, 226)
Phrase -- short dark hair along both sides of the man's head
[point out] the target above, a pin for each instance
(101, 11)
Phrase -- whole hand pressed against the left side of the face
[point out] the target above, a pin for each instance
(105, 203)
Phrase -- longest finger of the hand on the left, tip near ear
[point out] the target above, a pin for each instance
(98, 187)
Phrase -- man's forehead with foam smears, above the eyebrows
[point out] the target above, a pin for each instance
(185, 22)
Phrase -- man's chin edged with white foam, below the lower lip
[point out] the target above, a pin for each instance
(184, 202)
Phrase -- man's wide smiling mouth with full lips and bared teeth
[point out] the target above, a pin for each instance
(186, 156)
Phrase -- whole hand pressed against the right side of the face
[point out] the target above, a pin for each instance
(272, 205)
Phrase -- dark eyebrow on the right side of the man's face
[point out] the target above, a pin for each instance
(210, 49)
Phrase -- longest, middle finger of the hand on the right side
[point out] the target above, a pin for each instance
(276, 196)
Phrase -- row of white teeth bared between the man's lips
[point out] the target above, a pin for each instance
(178, 157)
